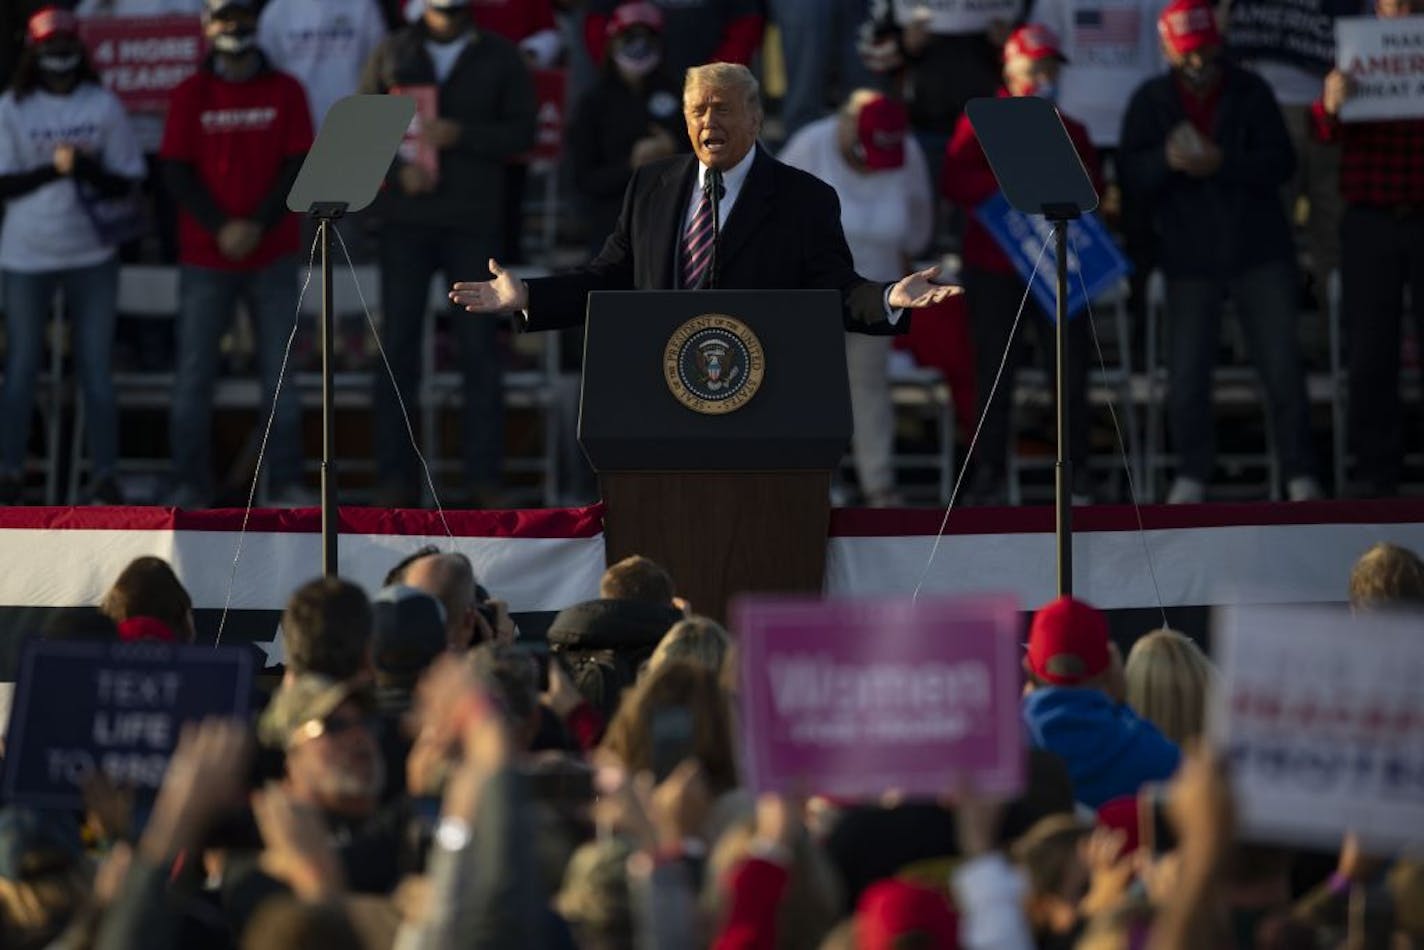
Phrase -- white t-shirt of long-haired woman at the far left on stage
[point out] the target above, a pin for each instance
(48, 229)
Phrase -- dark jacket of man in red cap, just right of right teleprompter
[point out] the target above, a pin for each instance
(1228, 223)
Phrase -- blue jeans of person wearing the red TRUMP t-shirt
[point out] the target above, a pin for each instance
(206, 303)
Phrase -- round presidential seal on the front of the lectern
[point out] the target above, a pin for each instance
(714, 364)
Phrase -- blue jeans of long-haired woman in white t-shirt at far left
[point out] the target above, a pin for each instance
(92, 298)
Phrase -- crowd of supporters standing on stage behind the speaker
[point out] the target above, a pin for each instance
(1223, 165)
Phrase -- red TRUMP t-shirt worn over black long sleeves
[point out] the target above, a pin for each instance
(239, 136)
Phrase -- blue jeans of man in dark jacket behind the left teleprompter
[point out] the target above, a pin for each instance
(411, 256)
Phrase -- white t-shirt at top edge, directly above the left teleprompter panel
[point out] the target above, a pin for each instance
(324, 43)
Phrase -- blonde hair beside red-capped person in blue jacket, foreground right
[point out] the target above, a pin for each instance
(1168, 680)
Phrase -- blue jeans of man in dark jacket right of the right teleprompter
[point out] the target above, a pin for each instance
(1265, 301)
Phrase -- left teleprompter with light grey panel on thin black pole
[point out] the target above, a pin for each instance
(342, 174)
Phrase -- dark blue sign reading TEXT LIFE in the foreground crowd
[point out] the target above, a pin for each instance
(117, 709)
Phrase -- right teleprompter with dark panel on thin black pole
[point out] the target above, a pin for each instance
(1042, 174)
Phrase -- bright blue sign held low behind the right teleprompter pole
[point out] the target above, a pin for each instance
(1091, 253)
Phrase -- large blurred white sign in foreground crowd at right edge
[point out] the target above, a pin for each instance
(1321, 714)
